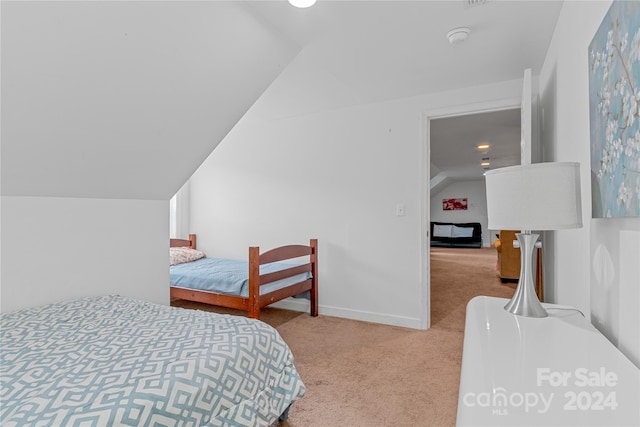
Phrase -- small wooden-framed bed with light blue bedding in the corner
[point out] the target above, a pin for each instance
(245, 285)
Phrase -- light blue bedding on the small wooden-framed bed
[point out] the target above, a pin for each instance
(226, 276)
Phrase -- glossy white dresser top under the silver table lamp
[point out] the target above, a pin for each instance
(558, 370)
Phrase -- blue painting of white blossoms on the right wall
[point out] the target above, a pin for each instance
(614, 108)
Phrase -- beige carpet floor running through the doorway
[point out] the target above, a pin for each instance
(364, 374)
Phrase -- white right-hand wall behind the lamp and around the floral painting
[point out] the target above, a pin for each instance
(595, 268)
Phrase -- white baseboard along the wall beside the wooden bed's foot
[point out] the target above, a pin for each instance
(302, 305)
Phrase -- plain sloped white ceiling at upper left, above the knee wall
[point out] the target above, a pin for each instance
(125, 99)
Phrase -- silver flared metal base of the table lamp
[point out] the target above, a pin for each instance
(525, 302)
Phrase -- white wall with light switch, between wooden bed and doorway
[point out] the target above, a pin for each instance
(337, 176)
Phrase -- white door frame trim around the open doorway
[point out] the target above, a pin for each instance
(428, 115)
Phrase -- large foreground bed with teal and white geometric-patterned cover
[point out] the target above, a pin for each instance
(116, 361)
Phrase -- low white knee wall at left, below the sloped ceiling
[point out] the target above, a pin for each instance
(56, 249)
